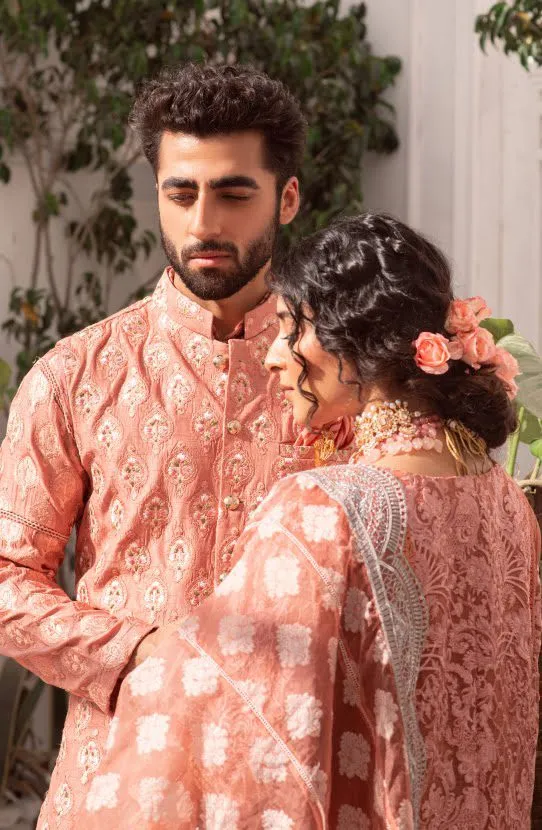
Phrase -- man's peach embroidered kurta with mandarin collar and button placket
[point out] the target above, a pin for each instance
(156, 441)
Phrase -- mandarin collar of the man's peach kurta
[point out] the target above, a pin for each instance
(181, 310)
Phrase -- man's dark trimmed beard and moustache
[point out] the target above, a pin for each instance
(218, 283)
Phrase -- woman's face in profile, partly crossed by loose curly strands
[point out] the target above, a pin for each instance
(335, 397)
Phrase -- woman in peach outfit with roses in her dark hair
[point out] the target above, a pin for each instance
(371, 660)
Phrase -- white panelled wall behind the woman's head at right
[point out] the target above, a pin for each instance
(468, 173)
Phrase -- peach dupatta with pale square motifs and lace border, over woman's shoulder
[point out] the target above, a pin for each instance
(288, 699)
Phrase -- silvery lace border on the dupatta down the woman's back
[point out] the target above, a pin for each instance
(375, 506)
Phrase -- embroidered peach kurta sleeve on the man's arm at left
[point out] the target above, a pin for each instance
(42, 495)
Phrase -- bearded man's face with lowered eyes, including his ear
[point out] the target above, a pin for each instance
(219, 210)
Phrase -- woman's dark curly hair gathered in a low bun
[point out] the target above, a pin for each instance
(369, 284)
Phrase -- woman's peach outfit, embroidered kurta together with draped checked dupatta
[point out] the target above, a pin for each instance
(369, 663)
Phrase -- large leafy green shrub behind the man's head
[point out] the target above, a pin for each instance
(68, 74)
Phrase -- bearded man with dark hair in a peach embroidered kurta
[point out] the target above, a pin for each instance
(157, 431)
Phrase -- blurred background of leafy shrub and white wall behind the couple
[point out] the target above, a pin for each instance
(428, 109)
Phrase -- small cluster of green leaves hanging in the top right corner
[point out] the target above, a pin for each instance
(517, 27)
